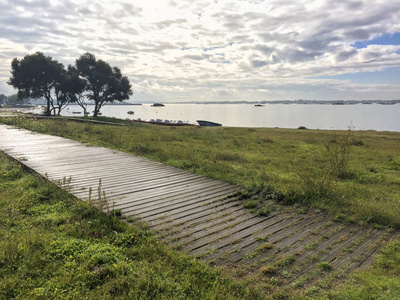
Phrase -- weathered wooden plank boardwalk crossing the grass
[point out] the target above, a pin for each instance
(200, 216)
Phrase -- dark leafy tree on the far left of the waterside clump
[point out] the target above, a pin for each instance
(36, 76)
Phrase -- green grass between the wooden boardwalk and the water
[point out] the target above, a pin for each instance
(283, 165)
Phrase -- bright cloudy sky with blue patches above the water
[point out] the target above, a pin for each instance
(231, 50)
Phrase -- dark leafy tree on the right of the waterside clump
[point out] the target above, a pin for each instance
(104, 84)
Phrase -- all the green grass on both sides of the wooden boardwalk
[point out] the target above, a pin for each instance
(54, 246)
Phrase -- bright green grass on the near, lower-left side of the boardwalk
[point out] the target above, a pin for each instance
(53, 246)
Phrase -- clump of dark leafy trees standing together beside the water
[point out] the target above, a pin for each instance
(39, 76)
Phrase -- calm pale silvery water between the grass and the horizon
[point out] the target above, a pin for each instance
(314, 116)
